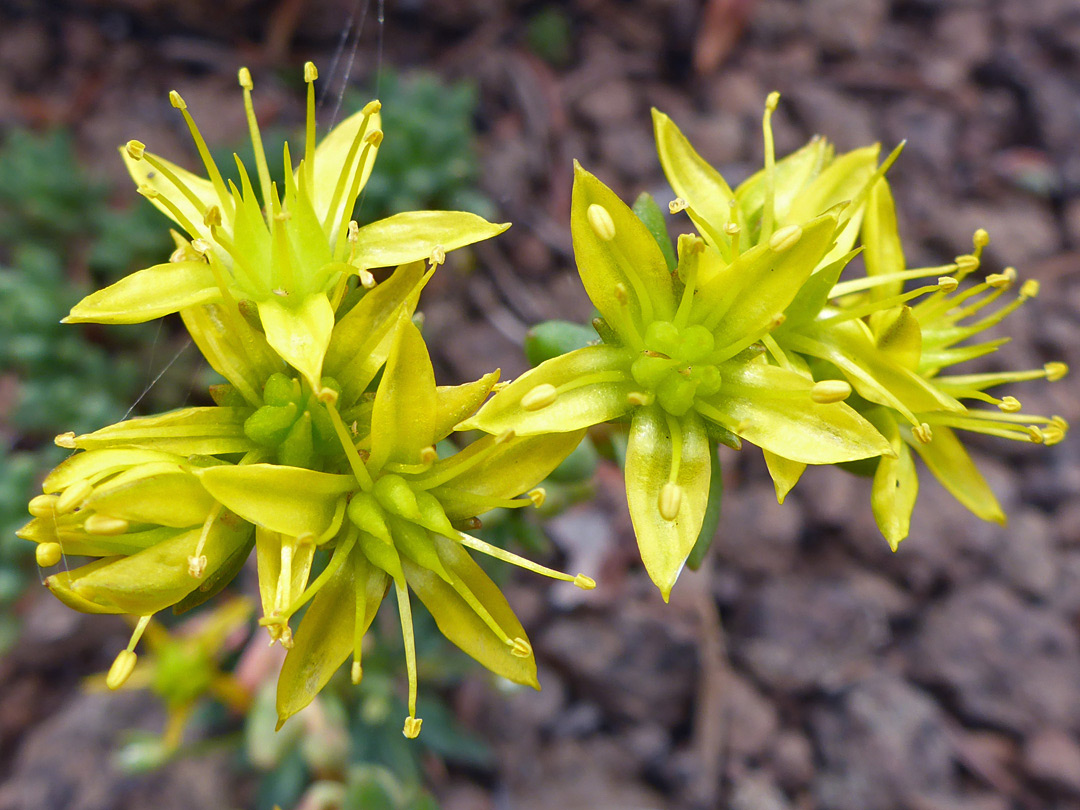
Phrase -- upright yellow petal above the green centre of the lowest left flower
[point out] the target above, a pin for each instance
(403, 420)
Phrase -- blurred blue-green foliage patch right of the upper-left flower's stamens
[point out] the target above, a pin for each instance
(429, 158)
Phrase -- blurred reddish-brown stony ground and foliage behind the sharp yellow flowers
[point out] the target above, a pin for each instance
(806, 667)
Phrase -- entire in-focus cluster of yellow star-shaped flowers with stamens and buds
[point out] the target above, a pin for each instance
(328, 451)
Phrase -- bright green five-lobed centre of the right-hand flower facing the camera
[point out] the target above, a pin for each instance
(674, 368)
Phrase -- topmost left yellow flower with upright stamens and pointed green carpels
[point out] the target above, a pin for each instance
(292, 255)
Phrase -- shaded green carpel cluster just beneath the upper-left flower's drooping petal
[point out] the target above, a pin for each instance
(294, 424)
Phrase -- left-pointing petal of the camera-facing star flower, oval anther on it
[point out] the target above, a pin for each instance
(591, 384)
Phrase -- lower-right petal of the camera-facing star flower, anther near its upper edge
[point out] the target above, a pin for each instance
(772, 408)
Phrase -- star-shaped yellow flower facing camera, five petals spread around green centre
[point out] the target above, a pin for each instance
(683, 360)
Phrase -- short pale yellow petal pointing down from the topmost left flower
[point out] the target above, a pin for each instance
(302, 334)
